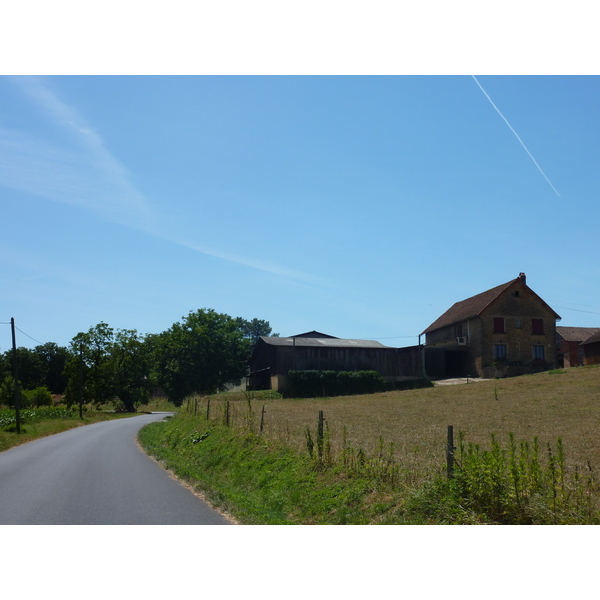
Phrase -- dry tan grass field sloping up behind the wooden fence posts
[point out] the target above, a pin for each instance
(562, 405)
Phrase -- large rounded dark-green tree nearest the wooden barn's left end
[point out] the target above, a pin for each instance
(201, 354)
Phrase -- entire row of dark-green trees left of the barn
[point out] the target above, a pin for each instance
(202, 353)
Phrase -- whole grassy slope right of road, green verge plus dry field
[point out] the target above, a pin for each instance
(380, 459)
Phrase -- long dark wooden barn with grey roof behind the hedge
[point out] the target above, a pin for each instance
(273, 357)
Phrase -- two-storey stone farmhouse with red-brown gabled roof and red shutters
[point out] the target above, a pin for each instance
(507, 330)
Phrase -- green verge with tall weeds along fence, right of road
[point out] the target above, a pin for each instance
(264, 481)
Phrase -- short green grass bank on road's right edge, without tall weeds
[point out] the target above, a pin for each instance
(256, 481)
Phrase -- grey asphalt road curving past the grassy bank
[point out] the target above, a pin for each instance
(95, 475)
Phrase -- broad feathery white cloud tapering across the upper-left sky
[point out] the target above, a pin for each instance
(80, 171)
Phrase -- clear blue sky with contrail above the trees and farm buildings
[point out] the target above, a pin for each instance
(359, 206)
